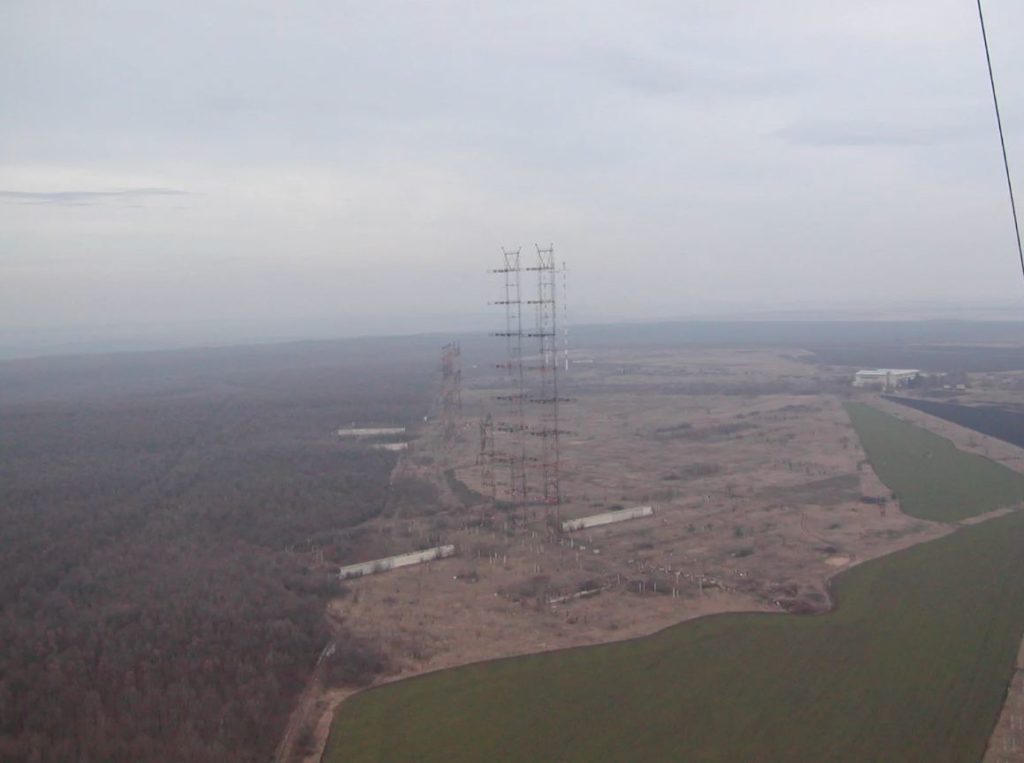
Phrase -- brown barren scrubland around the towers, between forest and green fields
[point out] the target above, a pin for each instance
(755, 474)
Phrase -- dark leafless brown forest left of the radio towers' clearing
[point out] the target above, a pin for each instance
(161, 599)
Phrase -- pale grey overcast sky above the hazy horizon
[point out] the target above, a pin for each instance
(337, 168)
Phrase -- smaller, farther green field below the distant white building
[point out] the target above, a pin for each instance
(933, 479)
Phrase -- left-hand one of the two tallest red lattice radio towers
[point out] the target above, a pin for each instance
(514, 425)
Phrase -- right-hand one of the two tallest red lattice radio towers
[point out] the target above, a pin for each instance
(546, 333)
